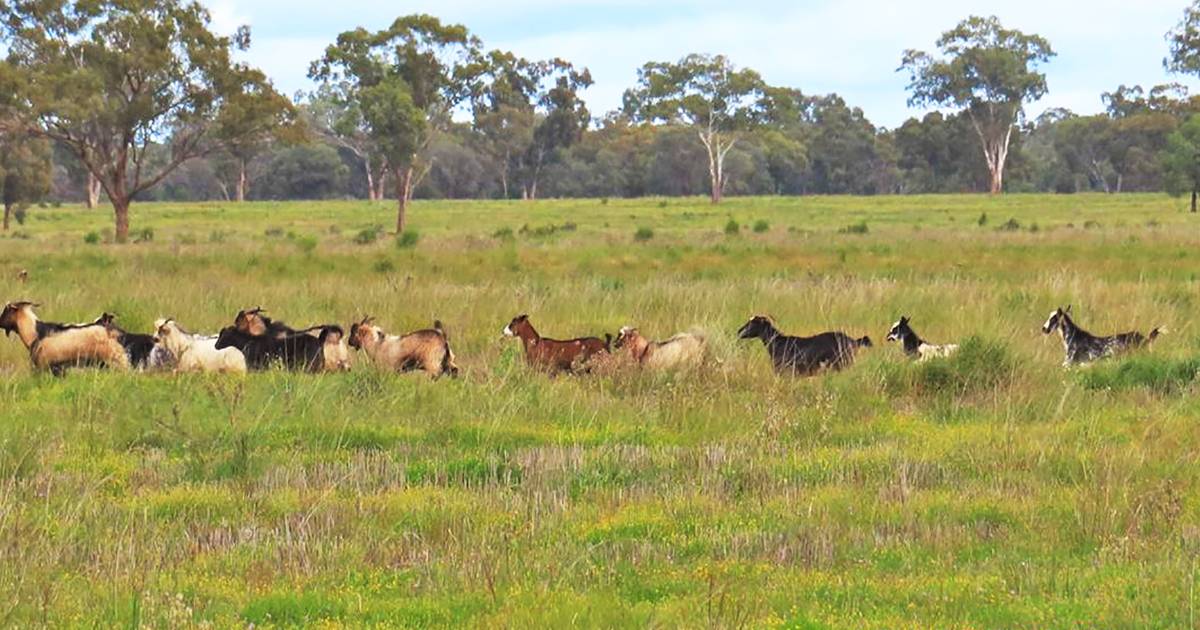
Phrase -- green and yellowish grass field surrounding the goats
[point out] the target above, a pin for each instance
(997, 490)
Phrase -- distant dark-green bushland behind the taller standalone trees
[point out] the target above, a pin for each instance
(830, 148)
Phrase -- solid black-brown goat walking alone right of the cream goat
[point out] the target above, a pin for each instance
(803, 356)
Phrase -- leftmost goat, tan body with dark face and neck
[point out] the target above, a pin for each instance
(58, 347)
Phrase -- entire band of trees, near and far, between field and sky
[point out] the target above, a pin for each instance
(141, 100)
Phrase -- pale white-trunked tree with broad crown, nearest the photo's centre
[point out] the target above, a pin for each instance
(706, 93)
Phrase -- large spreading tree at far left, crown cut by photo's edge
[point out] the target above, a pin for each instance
(113, 79)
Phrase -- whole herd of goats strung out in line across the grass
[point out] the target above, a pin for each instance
(256, 343)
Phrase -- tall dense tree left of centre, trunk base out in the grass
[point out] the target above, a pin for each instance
(406, 81)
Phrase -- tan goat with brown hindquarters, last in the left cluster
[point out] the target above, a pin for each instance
(424, 350)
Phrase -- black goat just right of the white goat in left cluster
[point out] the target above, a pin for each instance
(326, 352)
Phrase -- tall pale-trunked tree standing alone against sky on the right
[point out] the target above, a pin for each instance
(987, 71)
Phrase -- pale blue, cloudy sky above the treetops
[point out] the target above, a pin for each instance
(850, 47)
